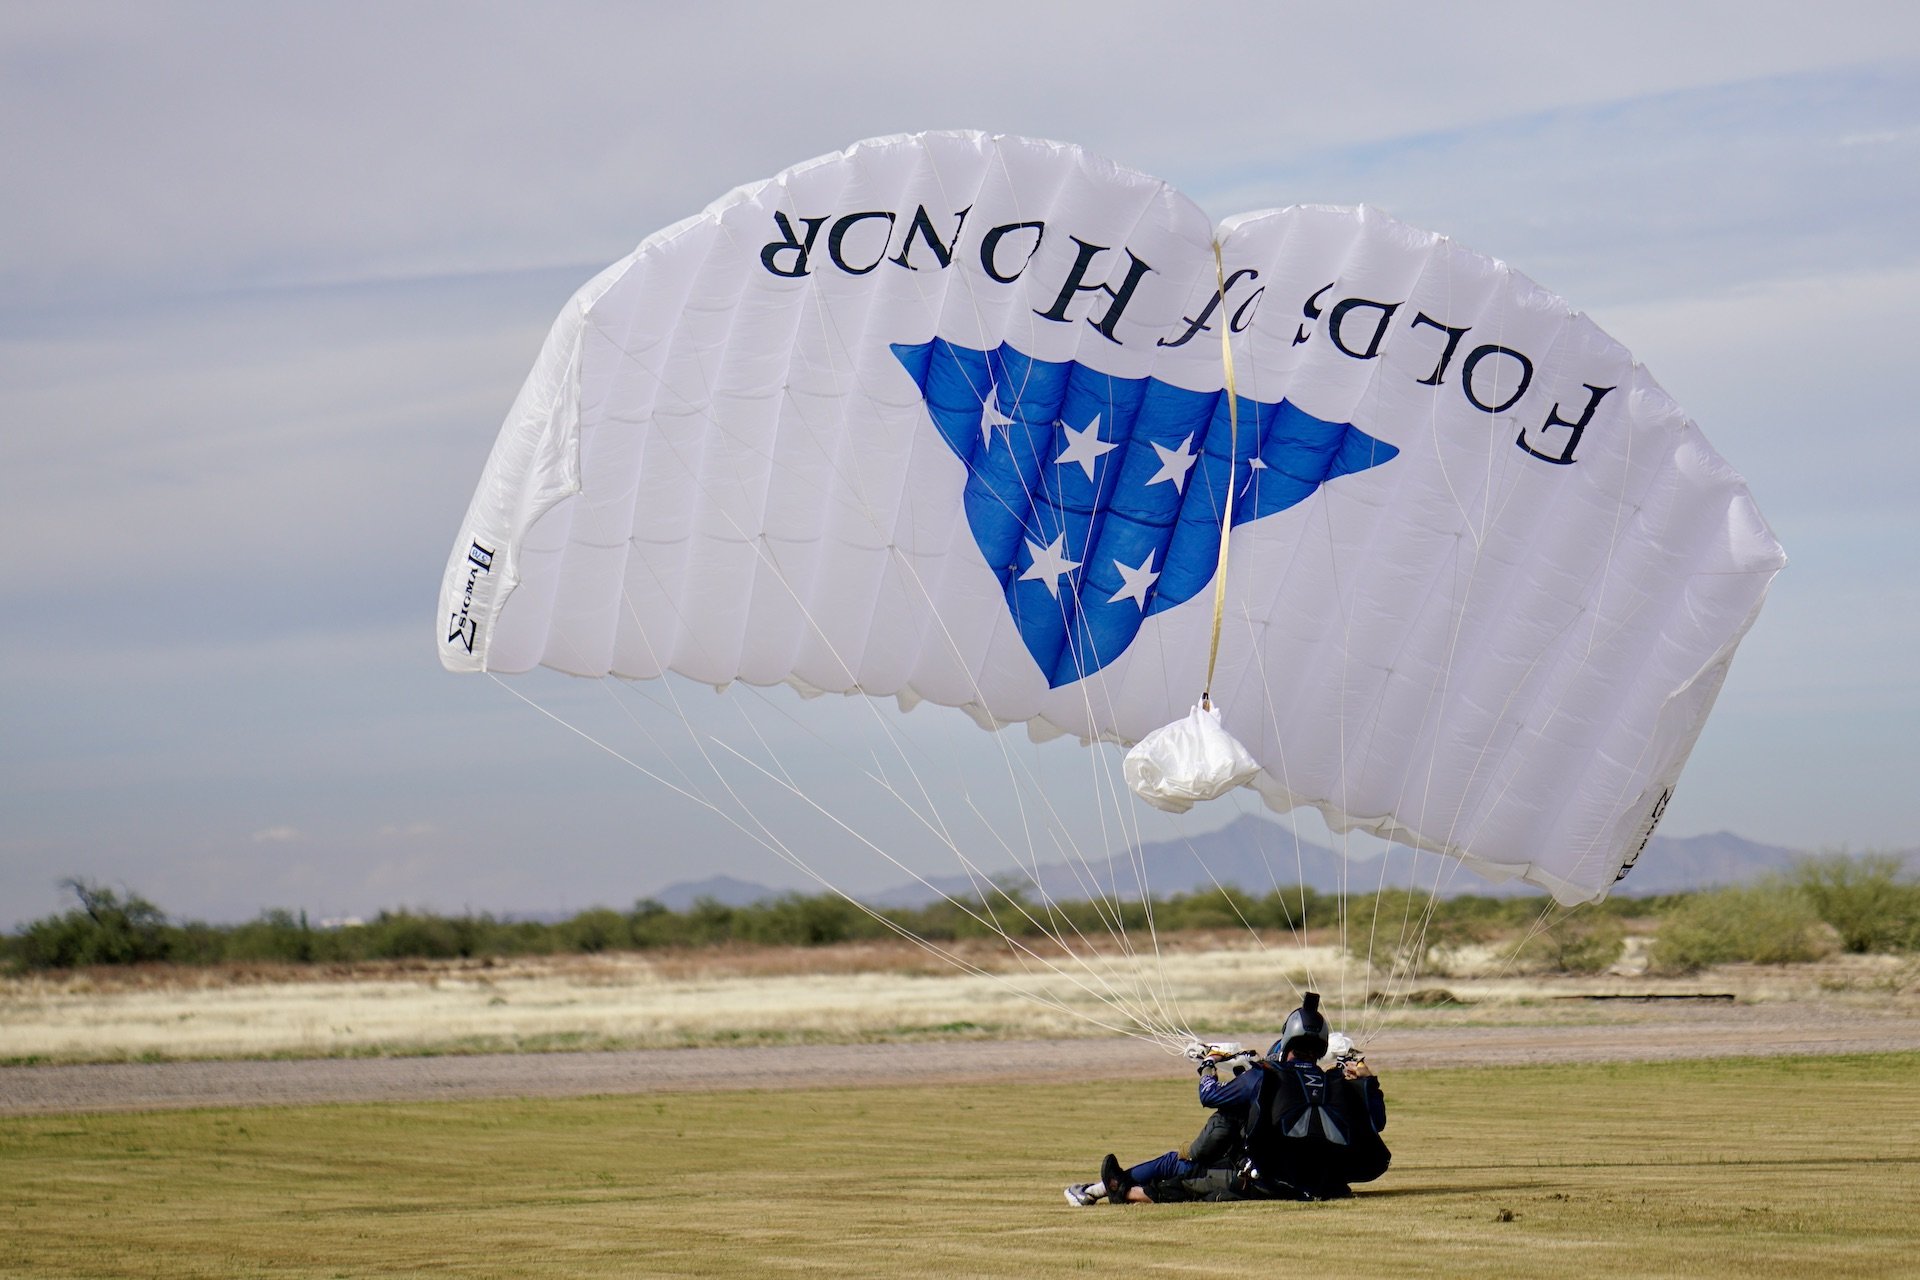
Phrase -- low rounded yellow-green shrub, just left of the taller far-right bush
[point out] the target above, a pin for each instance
(1767, 924)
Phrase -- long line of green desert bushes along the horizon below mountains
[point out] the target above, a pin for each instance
(1836, 903)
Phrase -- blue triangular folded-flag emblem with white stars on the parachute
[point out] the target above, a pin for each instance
(1099, 500)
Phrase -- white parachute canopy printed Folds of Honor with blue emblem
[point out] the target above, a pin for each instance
(946, 417)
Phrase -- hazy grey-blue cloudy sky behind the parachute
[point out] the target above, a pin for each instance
(270, 277)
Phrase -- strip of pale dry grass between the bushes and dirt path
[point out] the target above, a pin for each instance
(859, 993)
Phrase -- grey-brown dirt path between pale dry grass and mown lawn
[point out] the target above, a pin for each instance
(1708, 1031)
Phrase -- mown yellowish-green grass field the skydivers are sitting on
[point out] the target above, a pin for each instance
(1679, 1170)
